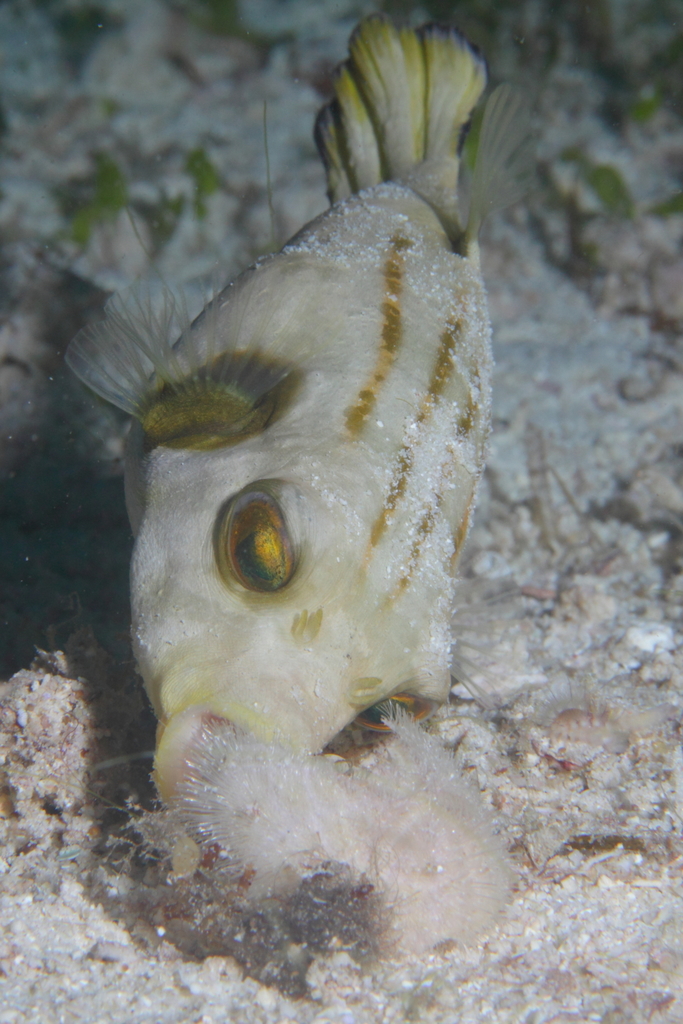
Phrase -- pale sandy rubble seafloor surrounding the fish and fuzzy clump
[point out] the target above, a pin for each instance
(579, 756)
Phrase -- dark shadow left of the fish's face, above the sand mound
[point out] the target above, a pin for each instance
(65, 548)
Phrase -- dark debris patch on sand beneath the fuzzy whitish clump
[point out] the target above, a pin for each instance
(208, 914)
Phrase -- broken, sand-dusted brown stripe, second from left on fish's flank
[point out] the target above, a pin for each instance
(440, 377)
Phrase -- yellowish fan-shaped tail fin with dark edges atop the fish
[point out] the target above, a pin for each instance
(405, 96)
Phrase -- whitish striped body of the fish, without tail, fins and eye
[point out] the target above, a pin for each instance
(378, 457)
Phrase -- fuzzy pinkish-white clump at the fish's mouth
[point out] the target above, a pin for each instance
(411, 827)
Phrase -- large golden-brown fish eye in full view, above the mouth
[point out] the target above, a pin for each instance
(254, 543)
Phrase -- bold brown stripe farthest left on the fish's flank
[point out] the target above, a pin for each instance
(391, 338)
